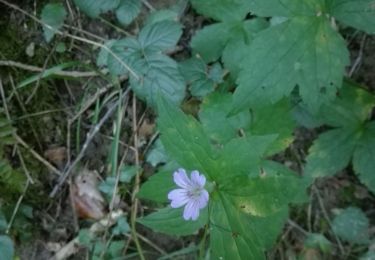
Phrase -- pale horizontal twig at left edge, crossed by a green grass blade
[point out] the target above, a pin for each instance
(73, 74)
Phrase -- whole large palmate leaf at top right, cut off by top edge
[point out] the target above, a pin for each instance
(303, 51)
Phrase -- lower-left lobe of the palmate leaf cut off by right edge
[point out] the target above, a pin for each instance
(331, 152)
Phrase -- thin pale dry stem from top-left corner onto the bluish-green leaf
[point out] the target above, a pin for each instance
(97, 44)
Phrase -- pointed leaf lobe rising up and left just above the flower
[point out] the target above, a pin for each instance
(185, 140)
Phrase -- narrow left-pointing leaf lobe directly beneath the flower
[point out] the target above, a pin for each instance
(170, 221)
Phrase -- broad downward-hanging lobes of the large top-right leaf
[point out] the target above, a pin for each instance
(304, 51)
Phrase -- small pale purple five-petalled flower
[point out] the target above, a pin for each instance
(192, 193)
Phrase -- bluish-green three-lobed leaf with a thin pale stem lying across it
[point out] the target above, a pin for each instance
(155, 72)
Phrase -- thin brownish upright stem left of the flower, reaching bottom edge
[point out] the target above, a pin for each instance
(136, 183)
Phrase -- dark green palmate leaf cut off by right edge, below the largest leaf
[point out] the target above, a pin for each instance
(353, 139)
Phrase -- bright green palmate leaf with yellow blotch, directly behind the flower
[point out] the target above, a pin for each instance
(236, 232)
